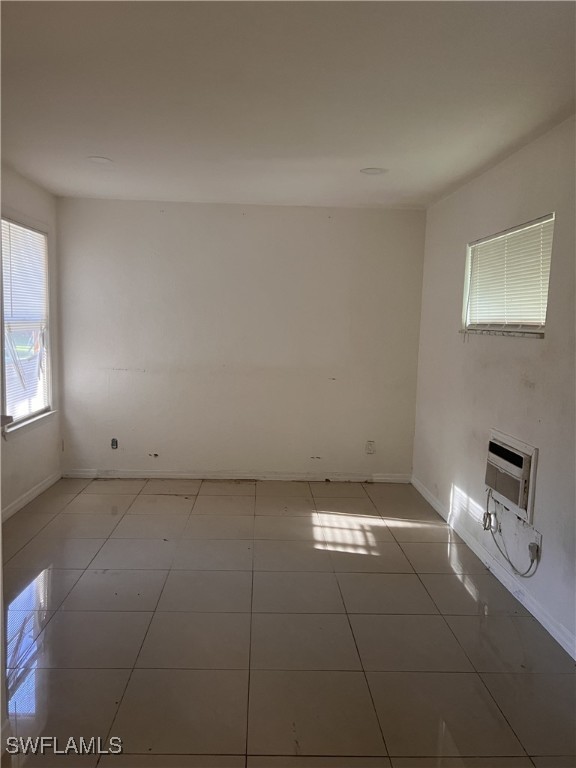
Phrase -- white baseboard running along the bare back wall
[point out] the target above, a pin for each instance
(230, 475)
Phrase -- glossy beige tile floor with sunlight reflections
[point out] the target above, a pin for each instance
(221, 624)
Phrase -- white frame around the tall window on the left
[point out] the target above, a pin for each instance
(49, 408)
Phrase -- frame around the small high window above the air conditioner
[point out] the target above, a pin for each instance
(502, 329)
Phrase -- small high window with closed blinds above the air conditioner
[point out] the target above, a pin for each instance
(507, 280)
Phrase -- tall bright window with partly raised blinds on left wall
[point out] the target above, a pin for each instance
(26, 367)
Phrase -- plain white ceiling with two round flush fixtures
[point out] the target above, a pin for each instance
(278, 103)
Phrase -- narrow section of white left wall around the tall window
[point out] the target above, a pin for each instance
(31, 454)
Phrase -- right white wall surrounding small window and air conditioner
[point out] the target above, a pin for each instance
(524, 387)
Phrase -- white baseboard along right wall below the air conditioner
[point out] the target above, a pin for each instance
(559, 632)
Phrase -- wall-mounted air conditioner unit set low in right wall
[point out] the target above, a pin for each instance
(511, 473)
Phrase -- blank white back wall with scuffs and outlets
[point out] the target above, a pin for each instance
(238, 341)
